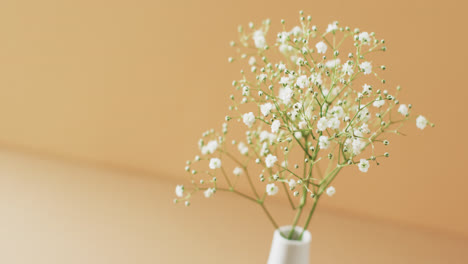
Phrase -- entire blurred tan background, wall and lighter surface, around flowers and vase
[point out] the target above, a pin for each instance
(102, 102)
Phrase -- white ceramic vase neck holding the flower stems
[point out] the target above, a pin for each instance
(284, 251)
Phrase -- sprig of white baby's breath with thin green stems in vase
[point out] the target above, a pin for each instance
(321, 104)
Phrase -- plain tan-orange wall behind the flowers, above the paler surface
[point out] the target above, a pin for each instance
(131, 85)
